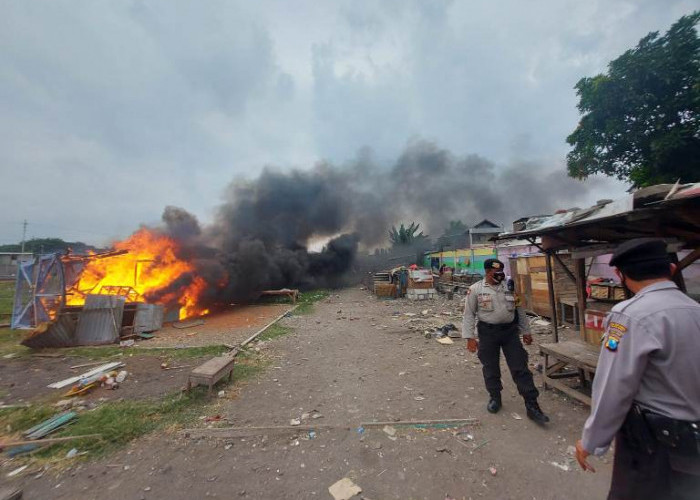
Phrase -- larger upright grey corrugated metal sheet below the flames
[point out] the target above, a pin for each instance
(100, 320)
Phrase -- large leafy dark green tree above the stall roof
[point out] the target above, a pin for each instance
(640, 120)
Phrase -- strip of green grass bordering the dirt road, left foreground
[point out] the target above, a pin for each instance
(120, 422)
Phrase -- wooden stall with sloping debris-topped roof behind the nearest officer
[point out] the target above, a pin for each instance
(664, 211)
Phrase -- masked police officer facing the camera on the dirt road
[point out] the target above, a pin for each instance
(500, 320)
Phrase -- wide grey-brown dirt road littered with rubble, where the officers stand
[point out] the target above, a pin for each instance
(353, 360)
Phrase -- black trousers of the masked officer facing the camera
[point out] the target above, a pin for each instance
(493, 338)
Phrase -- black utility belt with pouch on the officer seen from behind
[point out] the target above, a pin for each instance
(648, 431)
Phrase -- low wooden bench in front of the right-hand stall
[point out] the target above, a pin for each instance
(571, 353)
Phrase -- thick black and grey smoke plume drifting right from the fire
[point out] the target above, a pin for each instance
(260, 236)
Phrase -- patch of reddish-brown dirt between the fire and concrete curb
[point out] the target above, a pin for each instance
(225, 327)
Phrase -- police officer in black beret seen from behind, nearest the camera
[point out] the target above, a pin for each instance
(646, 391)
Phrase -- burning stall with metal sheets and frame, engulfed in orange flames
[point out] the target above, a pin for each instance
(99, 298)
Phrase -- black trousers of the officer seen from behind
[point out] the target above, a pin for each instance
(638, 475)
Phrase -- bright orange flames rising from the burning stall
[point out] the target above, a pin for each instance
(150, 268)
